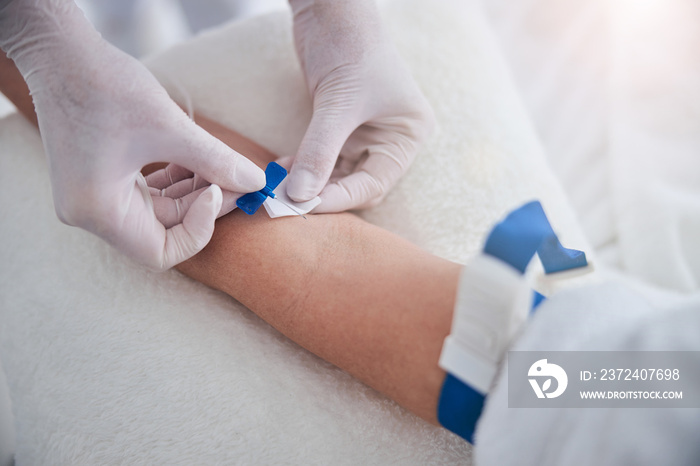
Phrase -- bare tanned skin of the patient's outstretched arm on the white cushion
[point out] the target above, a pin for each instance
(358, 296)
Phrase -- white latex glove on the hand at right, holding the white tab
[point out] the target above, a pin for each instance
(369, 116)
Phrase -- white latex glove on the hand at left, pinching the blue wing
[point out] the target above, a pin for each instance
(102, 117)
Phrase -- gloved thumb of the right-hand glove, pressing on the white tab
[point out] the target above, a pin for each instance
(317, 156)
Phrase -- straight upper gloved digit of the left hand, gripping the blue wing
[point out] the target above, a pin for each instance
(213, 160)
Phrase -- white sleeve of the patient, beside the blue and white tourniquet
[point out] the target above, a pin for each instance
(602, 317)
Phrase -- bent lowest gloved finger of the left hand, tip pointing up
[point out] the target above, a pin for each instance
(189, 237)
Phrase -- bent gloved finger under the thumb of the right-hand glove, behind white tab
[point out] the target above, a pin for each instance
(370, 184)
